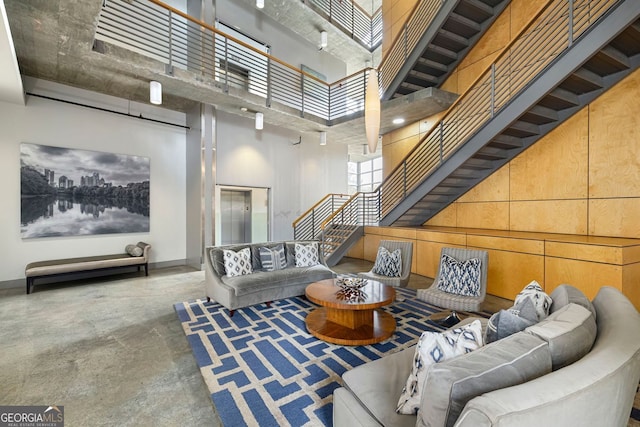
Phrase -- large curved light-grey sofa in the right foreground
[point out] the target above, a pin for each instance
(538, 377)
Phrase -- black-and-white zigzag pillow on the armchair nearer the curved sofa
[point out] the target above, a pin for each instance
(460, 278)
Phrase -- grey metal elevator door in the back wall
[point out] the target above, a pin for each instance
(235, 211)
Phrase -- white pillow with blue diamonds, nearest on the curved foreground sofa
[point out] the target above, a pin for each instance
(434, 347)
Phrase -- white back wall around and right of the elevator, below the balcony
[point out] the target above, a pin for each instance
(298, 175)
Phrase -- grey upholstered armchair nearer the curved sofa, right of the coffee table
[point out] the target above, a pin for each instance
(454, 301)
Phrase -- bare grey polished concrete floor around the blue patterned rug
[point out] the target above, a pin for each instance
(112, 351)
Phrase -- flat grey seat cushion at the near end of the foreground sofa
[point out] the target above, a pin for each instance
(378, 384)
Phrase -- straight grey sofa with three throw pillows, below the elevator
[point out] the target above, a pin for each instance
(260, 286)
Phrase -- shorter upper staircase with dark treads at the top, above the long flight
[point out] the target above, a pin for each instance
(432, 43)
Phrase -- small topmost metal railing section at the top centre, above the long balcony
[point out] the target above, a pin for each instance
(352, 19)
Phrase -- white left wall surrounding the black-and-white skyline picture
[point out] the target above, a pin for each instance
(54, 123)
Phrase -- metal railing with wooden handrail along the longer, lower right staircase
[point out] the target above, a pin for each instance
(549, 33)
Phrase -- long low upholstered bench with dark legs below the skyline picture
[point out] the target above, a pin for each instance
(60, 267)
